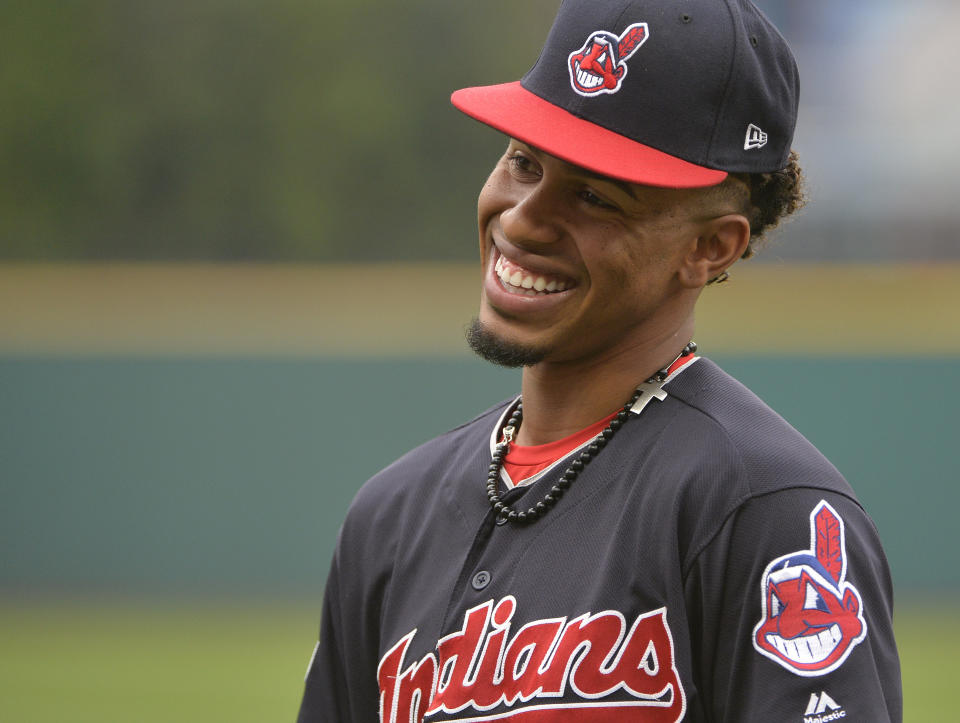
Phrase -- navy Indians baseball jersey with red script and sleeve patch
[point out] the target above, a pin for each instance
(709, 564)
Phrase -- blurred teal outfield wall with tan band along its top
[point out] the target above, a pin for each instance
(199, 430)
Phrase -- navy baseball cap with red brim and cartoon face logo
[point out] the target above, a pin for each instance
(673, 93)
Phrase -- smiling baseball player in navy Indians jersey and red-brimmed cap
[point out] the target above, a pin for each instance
(636, 536)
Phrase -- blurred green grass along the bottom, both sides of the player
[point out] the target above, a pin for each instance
(135, 663)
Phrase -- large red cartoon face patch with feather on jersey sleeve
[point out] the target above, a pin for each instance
(812, 617)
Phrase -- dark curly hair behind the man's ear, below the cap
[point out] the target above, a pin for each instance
(773, 197)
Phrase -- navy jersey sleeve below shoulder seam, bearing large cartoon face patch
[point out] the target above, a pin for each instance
(795, 585)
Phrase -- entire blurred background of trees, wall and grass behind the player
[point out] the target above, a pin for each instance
(235, 262)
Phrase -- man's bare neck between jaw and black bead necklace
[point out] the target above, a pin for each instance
(561, 398)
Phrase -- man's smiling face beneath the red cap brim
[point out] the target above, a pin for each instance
(578, 267)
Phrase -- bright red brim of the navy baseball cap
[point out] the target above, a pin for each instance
(512, 109)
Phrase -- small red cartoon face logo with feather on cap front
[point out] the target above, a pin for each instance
(601, 64)
